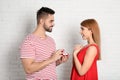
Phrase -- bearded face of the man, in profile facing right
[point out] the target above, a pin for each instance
(49, 23)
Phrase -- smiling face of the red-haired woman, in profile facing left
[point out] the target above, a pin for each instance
(85, 33)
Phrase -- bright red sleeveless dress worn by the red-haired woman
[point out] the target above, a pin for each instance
(91, 74)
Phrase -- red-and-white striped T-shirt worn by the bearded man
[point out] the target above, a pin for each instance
(39, 49)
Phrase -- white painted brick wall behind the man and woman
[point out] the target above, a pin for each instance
(17, 19)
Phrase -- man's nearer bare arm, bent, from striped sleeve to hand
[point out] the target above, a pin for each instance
(30, 66)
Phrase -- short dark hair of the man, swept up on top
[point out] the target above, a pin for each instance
(43, 12)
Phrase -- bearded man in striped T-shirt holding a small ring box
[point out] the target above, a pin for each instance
(38, 53)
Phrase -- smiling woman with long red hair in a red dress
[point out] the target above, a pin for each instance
(85, 57)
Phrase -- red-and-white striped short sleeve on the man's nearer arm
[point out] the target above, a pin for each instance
(27, 50)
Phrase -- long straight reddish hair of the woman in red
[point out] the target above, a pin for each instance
(92, 25)
